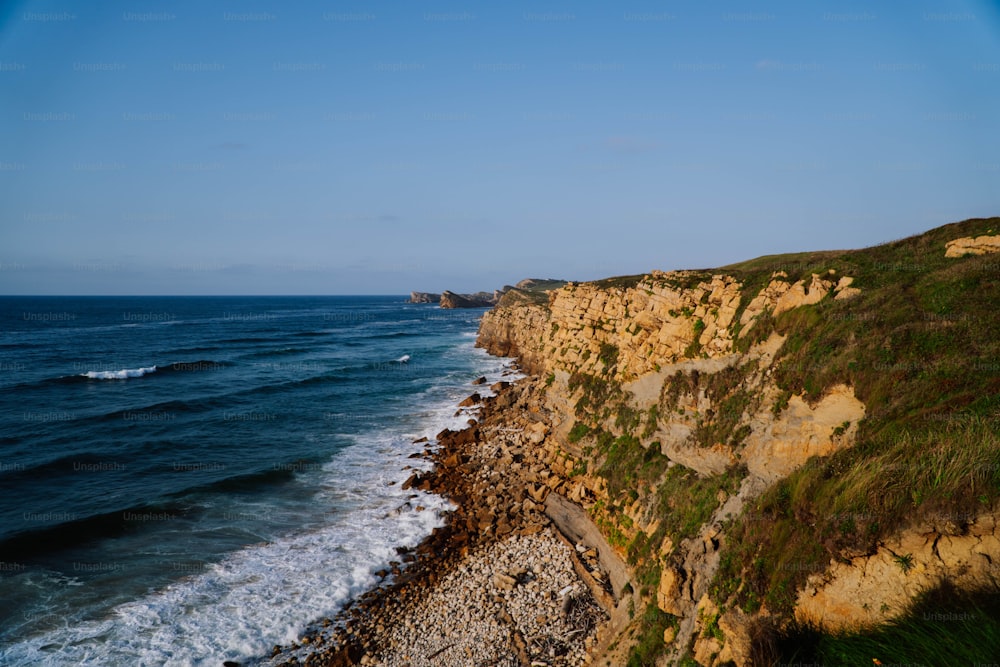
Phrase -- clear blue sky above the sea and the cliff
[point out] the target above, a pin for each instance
(374, 147)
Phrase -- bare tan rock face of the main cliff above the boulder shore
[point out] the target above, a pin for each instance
(664, 351)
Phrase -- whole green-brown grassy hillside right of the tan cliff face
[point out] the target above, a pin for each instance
(920, 347)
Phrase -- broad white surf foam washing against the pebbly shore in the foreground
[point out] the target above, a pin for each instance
(265, 594)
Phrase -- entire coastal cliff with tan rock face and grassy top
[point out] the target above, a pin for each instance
(794, 442)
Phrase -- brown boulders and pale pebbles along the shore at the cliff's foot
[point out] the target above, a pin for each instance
(500, 583)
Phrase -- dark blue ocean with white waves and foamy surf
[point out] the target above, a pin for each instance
(188, 480)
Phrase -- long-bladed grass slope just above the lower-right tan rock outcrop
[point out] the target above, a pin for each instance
(848, 501)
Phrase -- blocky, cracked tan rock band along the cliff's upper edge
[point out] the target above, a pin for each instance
(663, 319)
